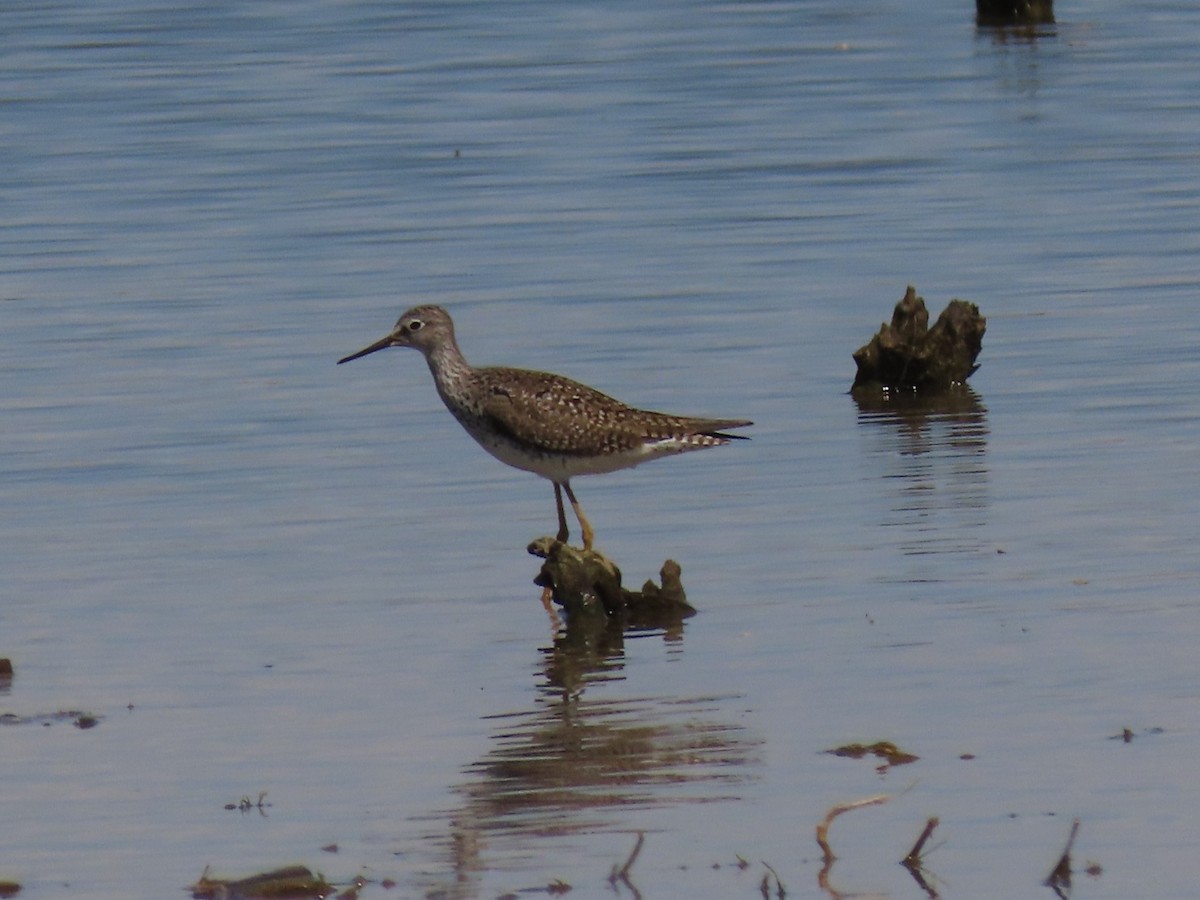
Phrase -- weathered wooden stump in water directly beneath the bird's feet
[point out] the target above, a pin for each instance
(587, 586)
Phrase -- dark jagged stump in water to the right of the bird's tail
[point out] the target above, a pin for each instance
(910, 356)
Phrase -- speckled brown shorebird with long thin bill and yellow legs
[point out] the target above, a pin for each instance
(544, 423)
